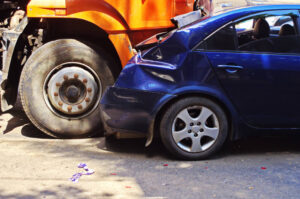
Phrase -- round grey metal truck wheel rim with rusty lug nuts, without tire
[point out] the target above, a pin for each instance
(72, 90)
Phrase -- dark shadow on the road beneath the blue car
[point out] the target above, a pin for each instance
(248, 146)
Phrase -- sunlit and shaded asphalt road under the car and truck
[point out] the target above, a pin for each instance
(36, 166)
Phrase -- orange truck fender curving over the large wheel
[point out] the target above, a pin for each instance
(111, 17)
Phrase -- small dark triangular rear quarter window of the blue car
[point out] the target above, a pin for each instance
(224, 39)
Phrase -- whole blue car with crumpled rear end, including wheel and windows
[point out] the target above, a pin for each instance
(219, 78)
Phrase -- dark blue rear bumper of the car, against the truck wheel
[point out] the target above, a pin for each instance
(127, 110)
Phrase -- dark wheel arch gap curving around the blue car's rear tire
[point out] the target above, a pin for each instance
(223, 103)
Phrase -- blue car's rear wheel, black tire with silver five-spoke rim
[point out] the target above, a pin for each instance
(194, 128)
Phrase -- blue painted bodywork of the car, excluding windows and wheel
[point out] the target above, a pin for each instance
(263, 94)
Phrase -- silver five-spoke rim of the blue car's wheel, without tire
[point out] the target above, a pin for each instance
(195, 129)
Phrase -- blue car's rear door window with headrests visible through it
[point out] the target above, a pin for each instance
(272, 34)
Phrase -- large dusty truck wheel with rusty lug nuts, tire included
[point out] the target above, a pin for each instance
(61, 86)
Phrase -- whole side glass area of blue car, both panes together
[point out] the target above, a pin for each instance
(264, 33)
